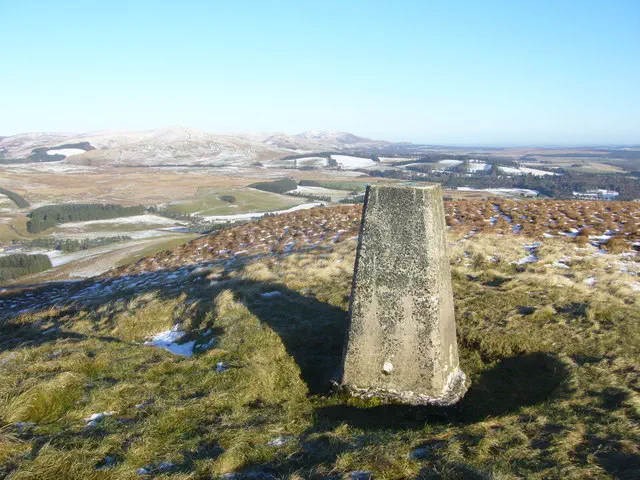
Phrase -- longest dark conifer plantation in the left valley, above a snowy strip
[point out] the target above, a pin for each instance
(49, 216)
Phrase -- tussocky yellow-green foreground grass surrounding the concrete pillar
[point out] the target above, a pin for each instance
(554, 374)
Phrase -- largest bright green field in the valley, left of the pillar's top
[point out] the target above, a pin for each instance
(207, 202)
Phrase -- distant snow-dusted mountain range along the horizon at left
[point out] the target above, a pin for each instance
(181, 146)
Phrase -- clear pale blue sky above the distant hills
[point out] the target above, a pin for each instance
(512, 72)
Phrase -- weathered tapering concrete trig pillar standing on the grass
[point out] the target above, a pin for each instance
(402, 336)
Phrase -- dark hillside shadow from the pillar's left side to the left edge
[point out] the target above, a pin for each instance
(312, 331)
